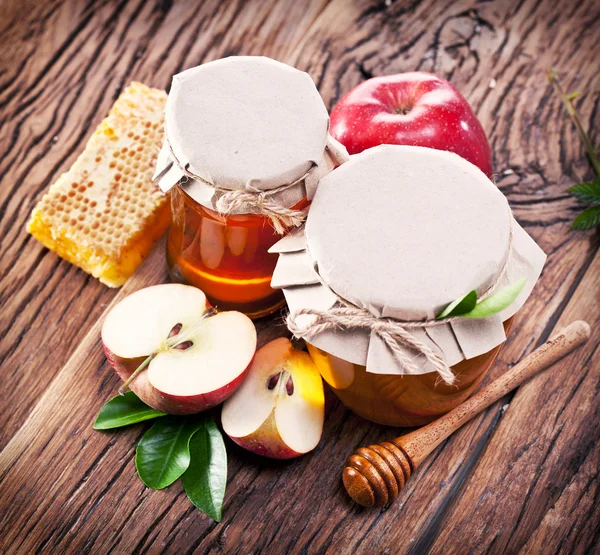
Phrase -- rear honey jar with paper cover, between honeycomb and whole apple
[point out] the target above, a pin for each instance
(246, 143)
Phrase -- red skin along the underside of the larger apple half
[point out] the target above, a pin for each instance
(171, 404)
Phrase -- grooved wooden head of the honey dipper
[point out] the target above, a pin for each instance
(373, 476)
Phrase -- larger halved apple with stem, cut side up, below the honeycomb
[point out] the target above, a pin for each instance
(199, 357)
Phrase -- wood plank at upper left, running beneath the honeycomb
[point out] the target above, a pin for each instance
(75, 60)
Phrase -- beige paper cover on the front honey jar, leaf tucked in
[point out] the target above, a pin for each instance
(401, 232)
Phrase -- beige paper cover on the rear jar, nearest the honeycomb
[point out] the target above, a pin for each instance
(245, 123)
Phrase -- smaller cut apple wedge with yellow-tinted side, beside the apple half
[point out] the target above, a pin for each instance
(278, 411)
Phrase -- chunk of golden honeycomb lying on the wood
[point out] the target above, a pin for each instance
(105, 214)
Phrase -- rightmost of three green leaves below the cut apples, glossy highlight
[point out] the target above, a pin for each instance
(205, 480)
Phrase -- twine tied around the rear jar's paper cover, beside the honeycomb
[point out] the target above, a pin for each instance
(258, 202)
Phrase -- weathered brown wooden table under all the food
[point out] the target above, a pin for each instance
(522, 476)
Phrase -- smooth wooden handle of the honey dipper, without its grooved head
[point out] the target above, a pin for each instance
(418, 444)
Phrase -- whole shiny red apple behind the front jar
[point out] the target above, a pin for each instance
(414, 108)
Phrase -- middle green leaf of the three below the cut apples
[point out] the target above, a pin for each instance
(163, 453)
